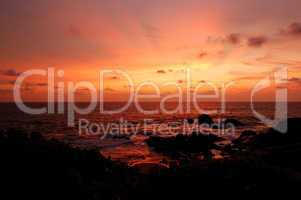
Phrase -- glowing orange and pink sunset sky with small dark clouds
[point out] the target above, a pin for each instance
(218, 40)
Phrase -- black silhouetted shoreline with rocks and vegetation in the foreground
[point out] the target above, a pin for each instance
(32, 167)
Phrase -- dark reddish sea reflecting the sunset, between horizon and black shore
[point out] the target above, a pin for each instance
(128, 147)
